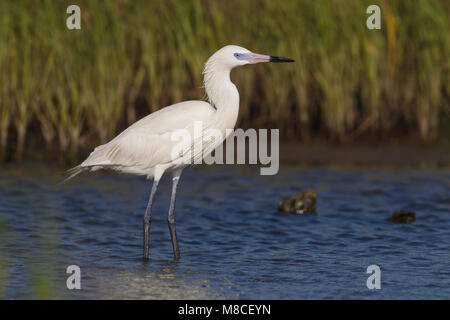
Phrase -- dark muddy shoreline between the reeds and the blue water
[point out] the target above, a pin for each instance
(320, 153)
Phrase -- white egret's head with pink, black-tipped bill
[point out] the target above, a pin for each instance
(232, 56)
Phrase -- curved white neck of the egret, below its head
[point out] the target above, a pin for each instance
(222, 94)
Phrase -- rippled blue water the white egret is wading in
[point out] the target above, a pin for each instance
(234, 243)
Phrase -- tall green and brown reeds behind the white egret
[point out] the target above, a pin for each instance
(64, 90)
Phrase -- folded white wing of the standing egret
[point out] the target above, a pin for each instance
(148, 142)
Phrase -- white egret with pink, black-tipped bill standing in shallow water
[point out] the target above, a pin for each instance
(146, 147)
